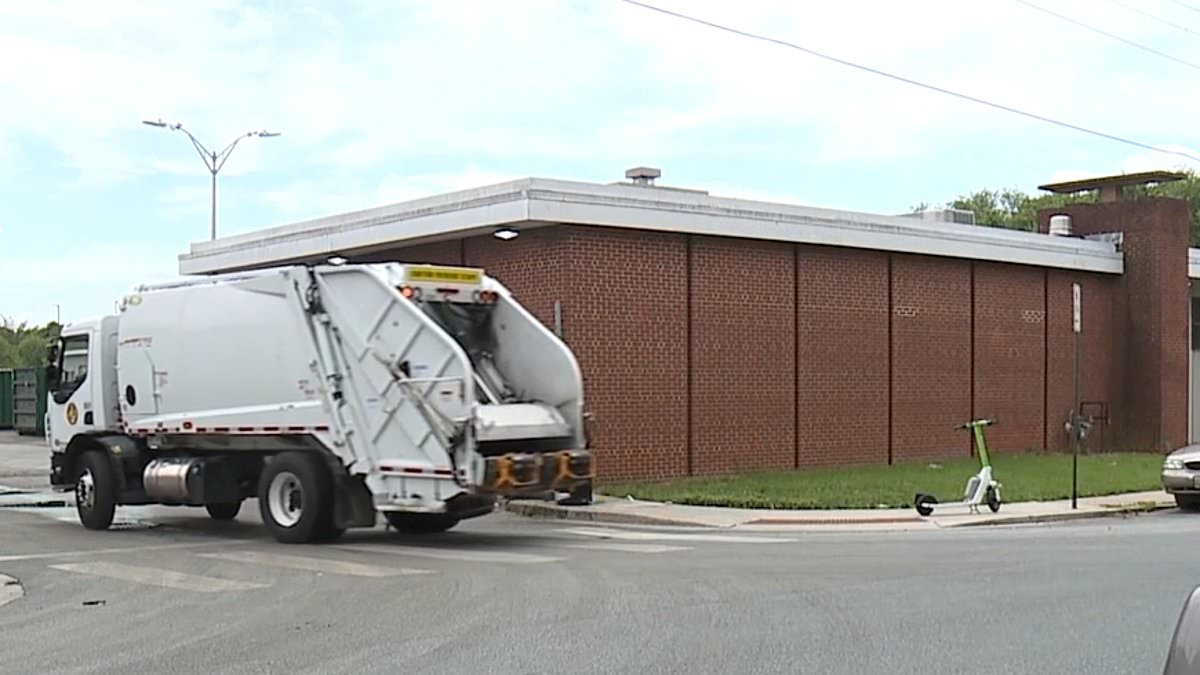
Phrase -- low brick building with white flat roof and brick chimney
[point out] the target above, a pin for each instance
(721, 334)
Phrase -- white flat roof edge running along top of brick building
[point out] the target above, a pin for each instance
(539, 202)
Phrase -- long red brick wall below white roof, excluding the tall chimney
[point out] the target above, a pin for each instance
(715, 355)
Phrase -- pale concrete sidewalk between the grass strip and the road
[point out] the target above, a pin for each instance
(633, 512)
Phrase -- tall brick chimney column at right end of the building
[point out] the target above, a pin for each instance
(1150, 321)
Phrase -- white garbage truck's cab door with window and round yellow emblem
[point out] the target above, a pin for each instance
(71, 407)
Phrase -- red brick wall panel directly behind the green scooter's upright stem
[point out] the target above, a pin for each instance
(1010, 354)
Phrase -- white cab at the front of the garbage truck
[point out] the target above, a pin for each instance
(83, 399)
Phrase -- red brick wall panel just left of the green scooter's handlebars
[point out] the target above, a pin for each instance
(931, 357)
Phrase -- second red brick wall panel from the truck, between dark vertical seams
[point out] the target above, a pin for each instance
(743, 356)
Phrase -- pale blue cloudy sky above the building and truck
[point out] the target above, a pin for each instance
(380, 101)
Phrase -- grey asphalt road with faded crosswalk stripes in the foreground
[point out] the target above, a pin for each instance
(176, 593)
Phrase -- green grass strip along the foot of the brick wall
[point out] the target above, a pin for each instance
(1023, 477)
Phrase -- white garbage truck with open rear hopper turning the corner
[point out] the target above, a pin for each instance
(331, 393)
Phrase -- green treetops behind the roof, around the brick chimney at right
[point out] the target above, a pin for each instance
(1013, 210)
